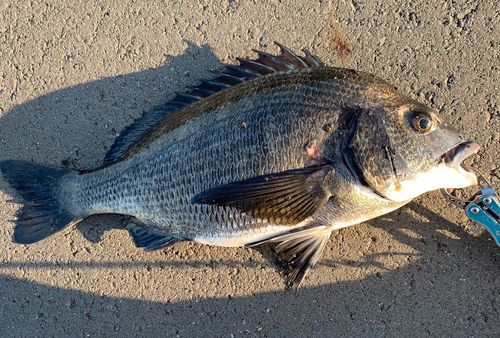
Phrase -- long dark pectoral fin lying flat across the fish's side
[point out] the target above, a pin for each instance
(287, 197)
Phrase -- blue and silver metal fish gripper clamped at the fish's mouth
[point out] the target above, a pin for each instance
(483, 208)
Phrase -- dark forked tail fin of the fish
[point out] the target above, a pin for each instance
(42, 214)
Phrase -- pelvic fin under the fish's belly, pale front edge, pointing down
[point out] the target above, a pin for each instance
(299, 251)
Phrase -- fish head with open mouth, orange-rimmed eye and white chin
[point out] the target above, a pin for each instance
(403, 150)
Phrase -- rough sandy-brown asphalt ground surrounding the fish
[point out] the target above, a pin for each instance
(73, 74)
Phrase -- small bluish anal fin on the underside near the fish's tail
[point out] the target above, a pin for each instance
(151, 239)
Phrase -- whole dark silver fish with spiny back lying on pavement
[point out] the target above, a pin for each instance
(281, 149)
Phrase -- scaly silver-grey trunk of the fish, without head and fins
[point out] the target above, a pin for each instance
(279, 126)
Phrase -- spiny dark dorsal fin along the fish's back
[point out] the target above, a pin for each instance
(230, 76)
